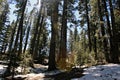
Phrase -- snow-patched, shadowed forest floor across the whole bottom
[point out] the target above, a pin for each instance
(99, 72)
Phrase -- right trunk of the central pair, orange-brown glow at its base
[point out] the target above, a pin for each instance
(63, 41)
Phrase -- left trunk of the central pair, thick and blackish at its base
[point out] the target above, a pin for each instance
(54, 21)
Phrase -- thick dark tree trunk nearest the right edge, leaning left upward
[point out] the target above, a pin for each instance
(115, 50)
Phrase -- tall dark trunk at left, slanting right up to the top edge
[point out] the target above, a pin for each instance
(19, 32)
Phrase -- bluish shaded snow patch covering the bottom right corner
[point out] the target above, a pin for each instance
(101, 72)
